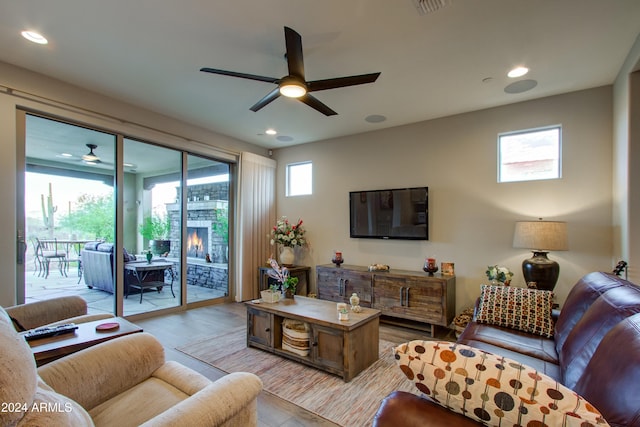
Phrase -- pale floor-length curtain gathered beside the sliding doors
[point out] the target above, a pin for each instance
(257, 214)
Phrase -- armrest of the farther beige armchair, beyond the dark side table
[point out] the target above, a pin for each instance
(40, 313)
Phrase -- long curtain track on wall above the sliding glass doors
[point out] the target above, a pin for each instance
(17, 93)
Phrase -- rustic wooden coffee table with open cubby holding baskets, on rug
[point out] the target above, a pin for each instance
(344, 348)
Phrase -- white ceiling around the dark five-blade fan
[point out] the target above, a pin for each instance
(454, 60)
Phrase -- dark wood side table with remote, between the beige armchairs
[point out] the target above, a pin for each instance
(46, 350)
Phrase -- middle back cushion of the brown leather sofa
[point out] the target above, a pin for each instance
(605, 312)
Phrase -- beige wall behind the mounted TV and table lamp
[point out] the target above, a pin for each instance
(471, 216)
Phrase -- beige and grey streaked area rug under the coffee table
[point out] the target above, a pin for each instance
(350, 404)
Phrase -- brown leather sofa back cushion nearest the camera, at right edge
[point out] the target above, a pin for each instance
(612, 378)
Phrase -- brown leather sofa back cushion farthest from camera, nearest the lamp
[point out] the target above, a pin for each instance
(580, 298)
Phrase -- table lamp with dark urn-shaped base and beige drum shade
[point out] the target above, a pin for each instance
(541, 237)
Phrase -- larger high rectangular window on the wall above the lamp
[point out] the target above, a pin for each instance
(529, 155)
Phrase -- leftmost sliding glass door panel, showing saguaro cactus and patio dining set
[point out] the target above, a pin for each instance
(69, 191)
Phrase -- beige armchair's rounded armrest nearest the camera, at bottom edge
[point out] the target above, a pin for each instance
(232, 397)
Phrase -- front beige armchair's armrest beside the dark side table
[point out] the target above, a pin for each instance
(98, 373)
